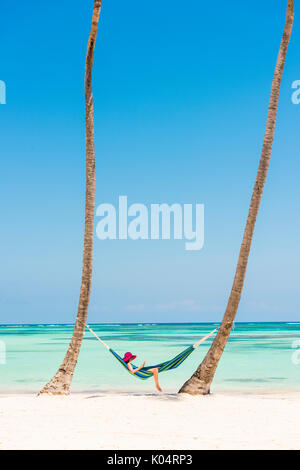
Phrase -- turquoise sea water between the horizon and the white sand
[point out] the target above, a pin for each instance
(258, 356)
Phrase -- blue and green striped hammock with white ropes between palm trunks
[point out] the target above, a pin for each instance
(145, 373)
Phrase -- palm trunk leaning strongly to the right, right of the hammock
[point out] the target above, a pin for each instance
(201, 380)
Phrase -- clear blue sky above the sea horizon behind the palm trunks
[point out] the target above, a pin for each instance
(180, 97)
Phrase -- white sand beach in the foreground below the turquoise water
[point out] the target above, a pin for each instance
(137, 421)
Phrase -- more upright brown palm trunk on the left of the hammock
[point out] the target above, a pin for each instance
(60, 383)
